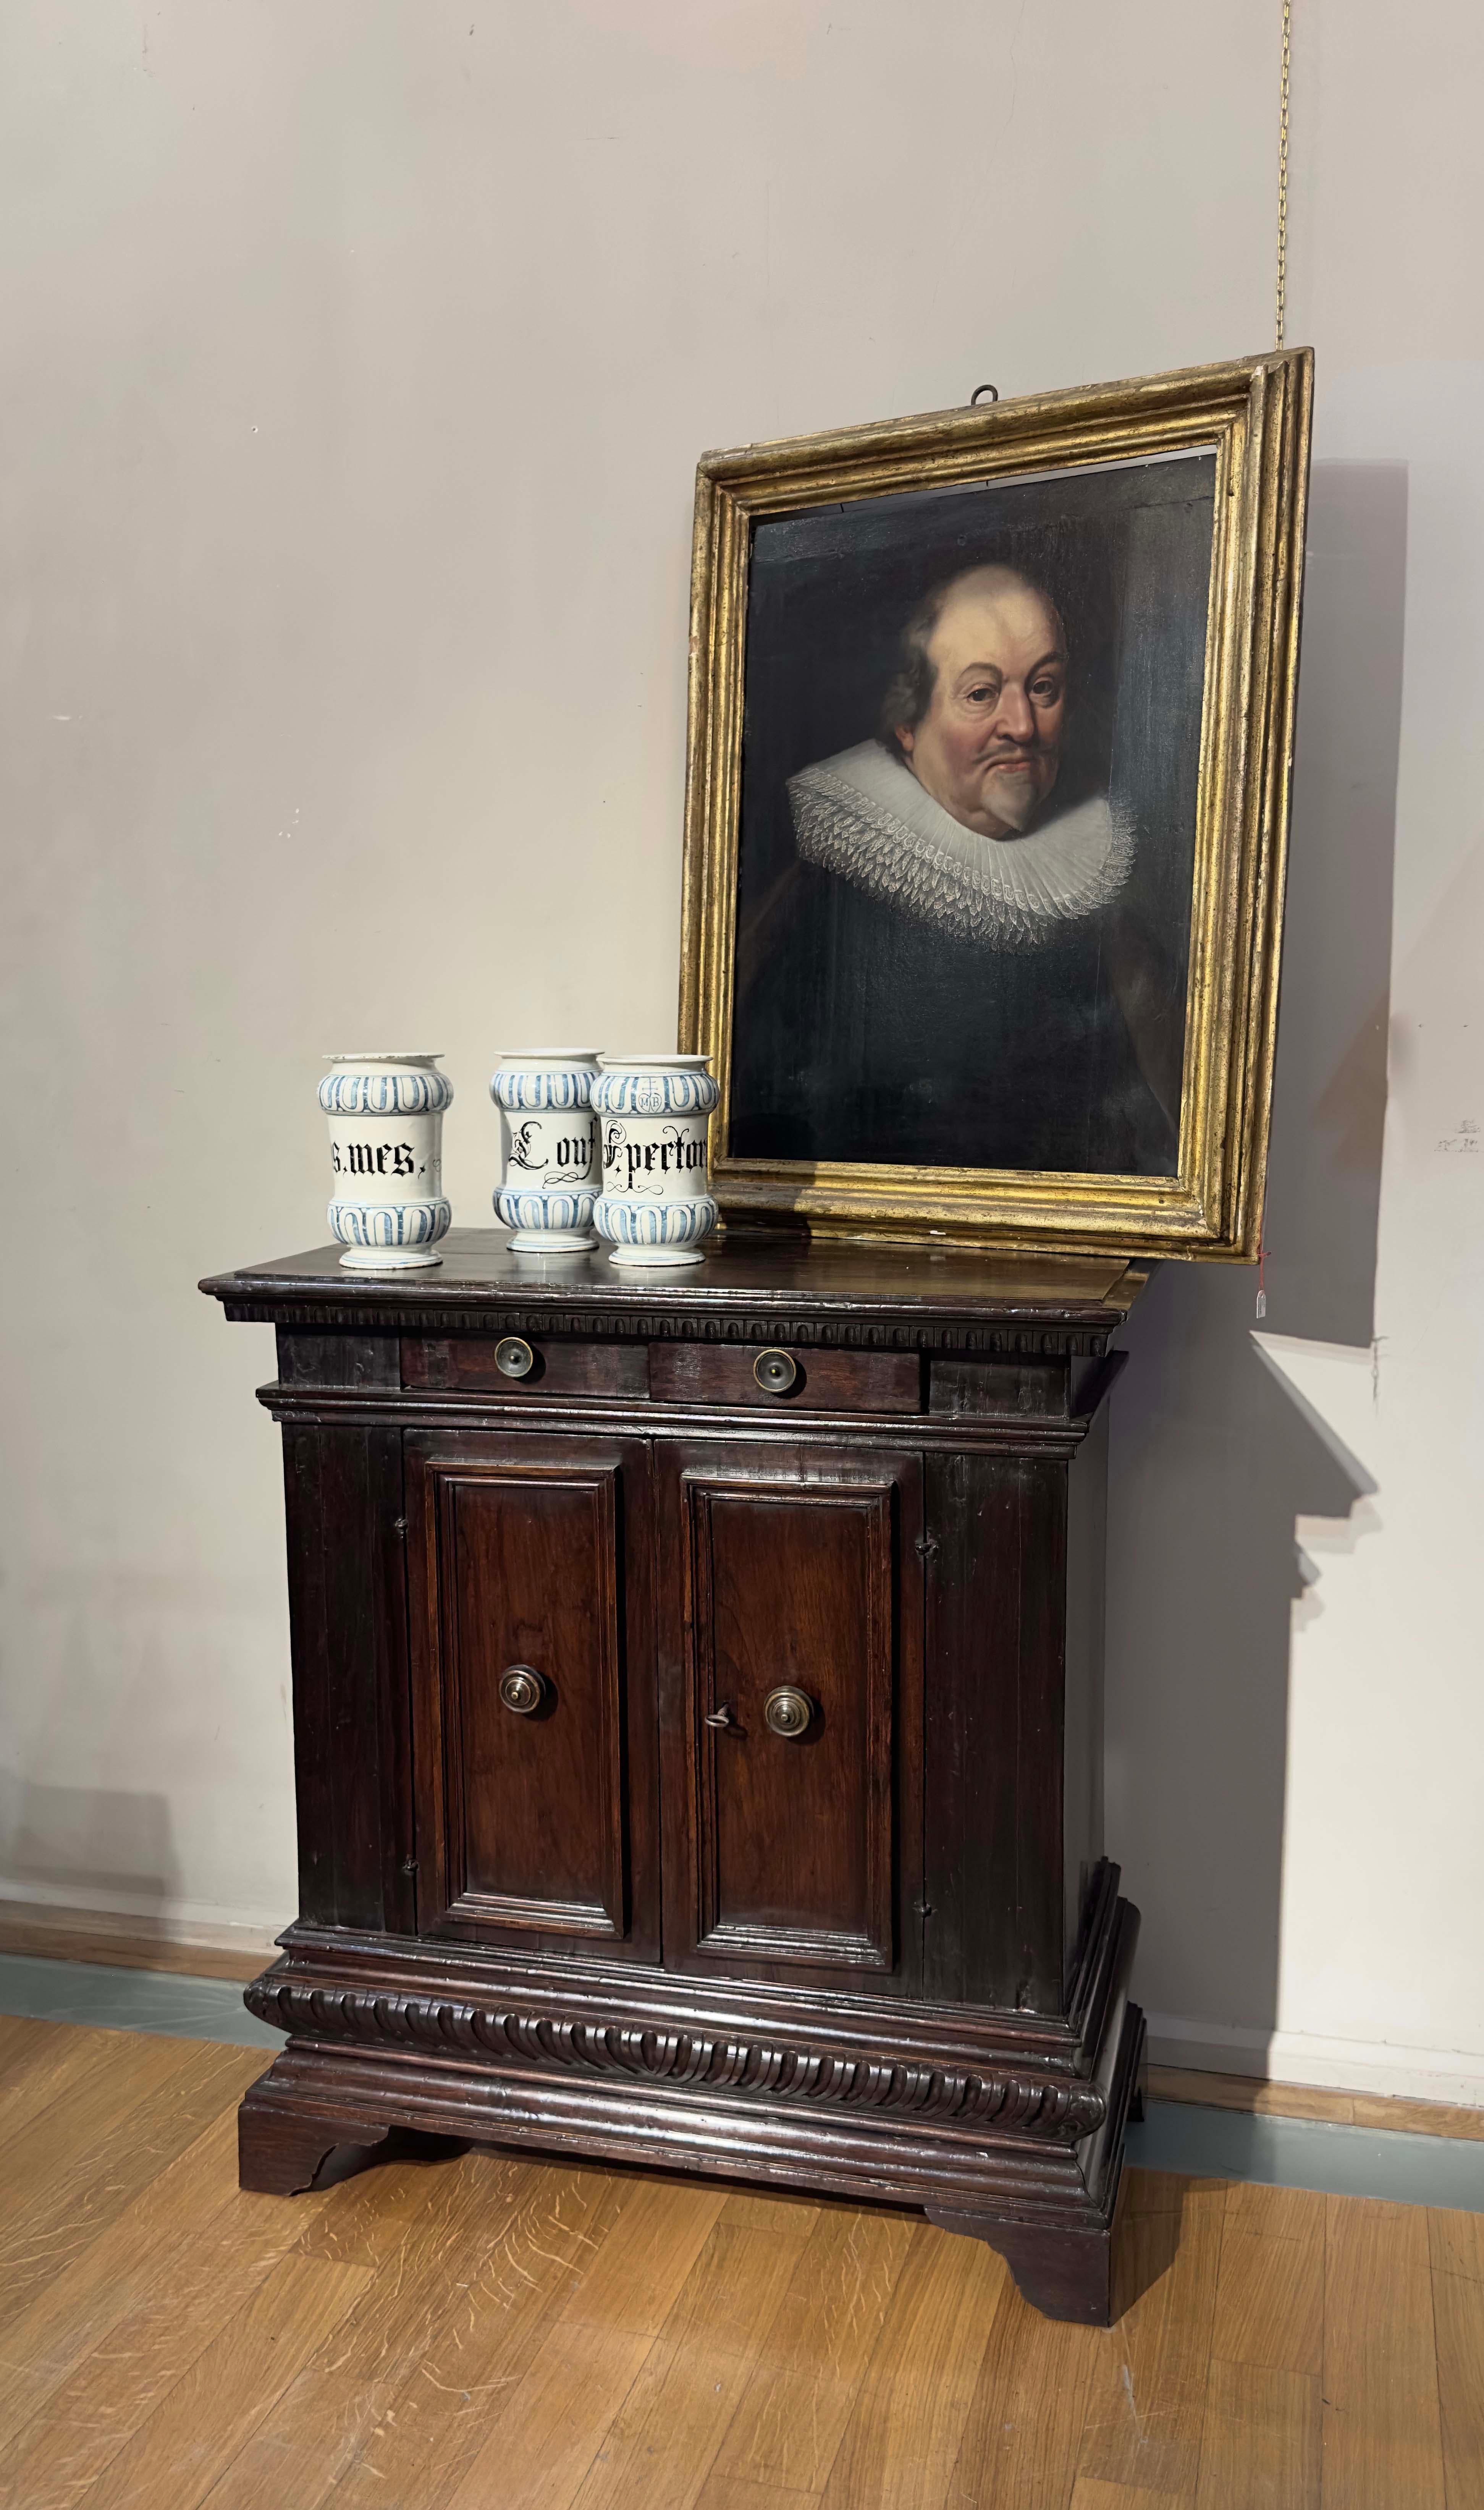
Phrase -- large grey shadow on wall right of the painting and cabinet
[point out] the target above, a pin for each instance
(1212, 1457)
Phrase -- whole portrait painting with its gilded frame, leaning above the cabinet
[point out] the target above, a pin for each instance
(991, 747)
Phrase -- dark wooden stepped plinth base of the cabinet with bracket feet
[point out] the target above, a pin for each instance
(1003, 2130)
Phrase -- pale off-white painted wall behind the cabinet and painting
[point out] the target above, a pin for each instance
(355, 373)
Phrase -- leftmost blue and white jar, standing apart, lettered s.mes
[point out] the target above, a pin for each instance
(385, 1153)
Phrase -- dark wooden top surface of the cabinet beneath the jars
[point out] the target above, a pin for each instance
(747, 1274)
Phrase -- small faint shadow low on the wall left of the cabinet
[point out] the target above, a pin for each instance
(87, 1846)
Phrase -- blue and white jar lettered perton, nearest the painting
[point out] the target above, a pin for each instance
(657, 1186)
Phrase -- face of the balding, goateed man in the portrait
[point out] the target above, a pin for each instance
(991, 742)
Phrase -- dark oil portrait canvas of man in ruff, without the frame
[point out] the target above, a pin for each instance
(963, 927)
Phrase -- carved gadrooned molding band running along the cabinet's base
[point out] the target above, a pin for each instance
(1056, 2110)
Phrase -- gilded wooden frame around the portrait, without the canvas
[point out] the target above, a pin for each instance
(1257, 418)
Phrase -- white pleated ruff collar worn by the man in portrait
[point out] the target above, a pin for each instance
(868, 817)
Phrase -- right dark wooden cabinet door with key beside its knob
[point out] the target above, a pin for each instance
(792, 1573)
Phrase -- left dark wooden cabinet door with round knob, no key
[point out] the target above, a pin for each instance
(534, 1690)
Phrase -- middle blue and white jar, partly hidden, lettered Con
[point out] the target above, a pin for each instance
(551, 1148)
